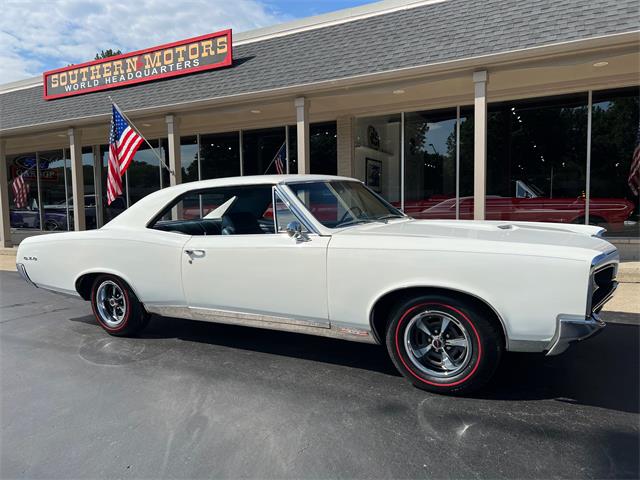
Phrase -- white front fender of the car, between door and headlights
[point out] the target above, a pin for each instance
(527, 291)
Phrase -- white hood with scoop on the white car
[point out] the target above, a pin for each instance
(530, 233)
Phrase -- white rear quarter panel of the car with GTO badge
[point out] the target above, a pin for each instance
(148, 260)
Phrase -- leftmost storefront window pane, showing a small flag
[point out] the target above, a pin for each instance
(24, 209)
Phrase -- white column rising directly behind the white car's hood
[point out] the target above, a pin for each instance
(480, 145)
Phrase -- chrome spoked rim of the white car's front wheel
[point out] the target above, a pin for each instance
(438, 344)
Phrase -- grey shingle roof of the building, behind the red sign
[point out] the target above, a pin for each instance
(451, 30)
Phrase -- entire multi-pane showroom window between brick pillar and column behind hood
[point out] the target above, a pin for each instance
(430, 159)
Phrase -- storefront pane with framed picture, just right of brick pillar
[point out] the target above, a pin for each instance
(377, 155)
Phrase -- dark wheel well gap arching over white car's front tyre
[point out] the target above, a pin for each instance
(384, 305)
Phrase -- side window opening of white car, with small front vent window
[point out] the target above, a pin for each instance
(240, 210)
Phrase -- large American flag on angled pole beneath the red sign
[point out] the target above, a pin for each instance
(124, 142)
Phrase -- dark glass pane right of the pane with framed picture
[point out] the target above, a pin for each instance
(430, 164)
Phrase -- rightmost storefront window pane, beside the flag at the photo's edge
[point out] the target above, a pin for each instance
(614, 136)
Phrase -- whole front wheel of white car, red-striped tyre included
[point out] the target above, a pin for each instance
(444, 344)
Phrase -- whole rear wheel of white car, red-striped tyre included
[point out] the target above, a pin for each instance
(116, 307)
